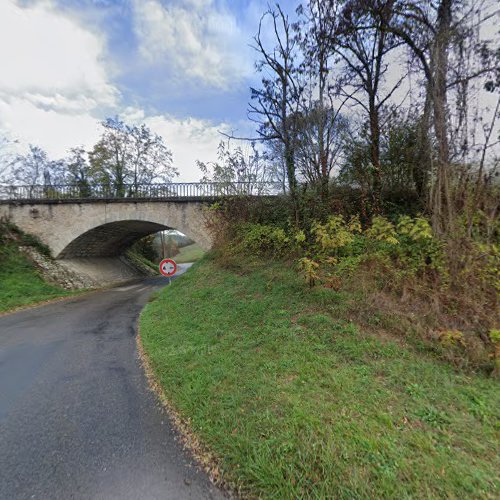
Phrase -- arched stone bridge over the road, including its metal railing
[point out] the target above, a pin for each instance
(95, 222)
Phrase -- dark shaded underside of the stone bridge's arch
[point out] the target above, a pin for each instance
(109, 240)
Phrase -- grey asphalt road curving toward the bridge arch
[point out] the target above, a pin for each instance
(77, 419)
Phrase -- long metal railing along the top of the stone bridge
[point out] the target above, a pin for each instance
(169, 191)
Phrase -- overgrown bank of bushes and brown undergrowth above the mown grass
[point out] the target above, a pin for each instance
(444, 291)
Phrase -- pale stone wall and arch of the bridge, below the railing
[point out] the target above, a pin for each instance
(104, 229)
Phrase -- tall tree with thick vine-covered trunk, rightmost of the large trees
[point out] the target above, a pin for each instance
(432, 30)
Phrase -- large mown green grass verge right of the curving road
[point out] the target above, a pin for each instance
(298, 403)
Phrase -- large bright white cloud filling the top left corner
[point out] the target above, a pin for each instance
(53, 81)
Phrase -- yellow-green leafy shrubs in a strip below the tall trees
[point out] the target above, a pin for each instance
(340, 246)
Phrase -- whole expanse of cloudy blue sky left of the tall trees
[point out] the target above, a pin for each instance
(183, 67)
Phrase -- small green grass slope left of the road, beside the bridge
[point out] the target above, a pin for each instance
(20, 282)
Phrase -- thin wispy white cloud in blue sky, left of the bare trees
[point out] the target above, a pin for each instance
(198, 40)
